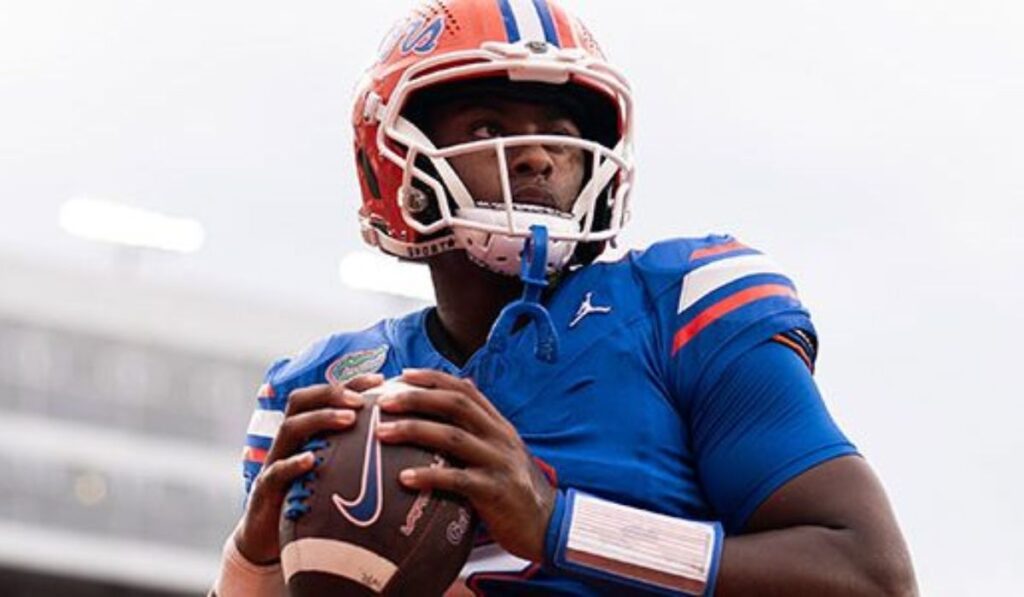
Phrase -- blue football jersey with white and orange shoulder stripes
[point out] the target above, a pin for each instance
(651, 404)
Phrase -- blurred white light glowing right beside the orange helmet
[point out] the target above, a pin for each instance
(376, 273)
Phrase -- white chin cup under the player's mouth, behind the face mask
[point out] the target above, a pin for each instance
(500, 252)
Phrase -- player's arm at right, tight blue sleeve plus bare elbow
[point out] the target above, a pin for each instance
(827, 531)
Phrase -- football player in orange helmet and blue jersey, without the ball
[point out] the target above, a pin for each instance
(648, 424)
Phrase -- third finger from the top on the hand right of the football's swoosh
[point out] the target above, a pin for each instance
(446, 439)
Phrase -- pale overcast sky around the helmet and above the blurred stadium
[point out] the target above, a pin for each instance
(874, 148)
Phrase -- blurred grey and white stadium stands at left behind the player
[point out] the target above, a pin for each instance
(123, 407)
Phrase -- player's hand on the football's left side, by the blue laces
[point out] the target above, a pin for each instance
(311, 411)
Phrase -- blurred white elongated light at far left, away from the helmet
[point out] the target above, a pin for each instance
(122, 225)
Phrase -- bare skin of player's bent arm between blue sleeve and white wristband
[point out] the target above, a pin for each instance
(828, 532)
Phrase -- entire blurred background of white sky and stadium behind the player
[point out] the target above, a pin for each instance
(874, 148)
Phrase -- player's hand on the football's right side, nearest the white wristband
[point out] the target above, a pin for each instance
(500, 479)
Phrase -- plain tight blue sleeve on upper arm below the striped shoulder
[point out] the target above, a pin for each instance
(760, 425)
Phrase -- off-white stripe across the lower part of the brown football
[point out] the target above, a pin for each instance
(337, 559)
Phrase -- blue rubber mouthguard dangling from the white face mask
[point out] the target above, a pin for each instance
(534, 276)
